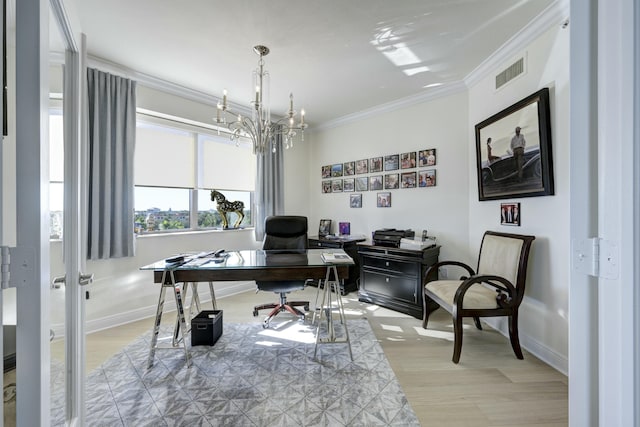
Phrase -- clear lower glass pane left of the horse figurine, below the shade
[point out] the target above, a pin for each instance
(160, 209)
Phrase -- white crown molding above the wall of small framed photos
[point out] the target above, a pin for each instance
(438, 92)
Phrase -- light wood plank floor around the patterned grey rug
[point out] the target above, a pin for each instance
(489, 387)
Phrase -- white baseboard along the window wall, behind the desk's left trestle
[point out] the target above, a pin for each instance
(119, 319)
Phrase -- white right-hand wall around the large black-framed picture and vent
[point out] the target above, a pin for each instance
(544, 319)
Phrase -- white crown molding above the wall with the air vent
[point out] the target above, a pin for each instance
(555, 14)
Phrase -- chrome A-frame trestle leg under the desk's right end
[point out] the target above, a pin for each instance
(327, 310)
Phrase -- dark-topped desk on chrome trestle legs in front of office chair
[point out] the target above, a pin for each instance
(240, 265)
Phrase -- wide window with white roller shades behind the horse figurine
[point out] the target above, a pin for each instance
(176, 167)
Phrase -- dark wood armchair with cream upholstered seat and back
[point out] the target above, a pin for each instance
(496, 288)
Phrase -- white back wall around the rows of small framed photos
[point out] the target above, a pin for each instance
(442, 210)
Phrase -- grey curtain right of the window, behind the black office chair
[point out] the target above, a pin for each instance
(269, 187)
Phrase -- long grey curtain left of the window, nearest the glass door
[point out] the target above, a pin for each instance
(112, 131)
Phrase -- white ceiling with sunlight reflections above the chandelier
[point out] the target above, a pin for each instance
(338, 57)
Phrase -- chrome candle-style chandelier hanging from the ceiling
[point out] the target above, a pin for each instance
(259, 127)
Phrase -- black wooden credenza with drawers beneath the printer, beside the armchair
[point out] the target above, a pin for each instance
(393, 277)
